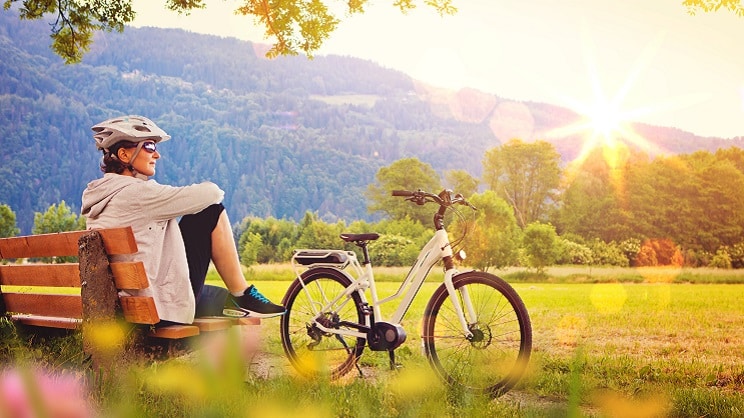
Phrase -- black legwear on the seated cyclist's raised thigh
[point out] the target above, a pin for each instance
(197, 230)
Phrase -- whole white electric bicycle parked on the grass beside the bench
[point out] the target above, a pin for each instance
(476, 331)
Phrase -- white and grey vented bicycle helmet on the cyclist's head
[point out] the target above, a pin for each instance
(130, 128)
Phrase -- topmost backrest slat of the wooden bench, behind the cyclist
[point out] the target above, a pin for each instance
(115, 240)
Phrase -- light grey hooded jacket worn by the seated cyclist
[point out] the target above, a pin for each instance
(151, 210)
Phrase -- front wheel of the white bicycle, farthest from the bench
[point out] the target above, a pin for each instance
(494, 355)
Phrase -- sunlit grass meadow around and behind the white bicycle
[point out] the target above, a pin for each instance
(605, 344)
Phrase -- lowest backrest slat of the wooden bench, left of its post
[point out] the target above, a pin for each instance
(68, 306)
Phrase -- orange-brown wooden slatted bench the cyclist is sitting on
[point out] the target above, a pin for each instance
(85, 294)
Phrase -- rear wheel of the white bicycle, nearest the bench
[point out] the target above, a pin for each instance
(311, 351)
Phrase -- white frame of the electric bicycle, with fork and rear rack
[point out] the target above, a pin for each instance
(436, 249)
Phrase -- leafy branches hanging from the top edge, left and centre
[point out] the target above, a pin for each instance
(295, 25)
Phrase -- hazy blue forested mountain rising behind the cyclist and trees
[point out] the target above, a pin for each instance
(281, 136)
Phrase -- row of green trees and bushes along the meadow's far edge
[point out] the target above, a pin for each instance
(609, 210)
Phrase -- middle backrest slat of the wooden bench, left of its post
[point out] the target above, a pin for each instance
(54, 275)
